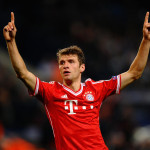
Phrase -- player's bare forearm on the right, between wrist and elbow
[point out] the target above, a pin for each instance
(139, 63)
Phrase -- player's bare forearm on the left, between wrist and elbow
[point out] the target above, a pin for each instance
(16, 59)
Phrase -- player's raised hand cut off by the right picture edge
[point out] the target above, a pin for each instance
(146, 27)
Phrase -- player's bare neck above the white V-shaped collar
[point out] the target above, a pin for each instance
(75, 86)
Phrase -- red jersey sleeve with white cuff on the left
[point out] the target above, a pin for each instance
(43, 90)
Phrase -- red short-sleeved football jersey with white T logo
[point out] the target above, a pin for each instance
(74, 116)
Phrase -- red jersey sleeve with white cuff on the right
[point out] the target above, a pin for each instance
(112, 86)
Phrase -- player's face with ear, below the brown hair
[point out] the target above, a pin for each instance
(69, 67)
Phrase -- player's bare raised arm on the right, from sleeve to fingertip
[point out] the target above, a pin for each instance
(137, 67)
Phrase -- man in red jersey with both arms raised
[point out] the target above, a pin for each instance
(73, 107)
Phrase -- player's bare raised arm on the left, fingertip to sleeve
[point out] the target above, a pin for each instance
(18, 64)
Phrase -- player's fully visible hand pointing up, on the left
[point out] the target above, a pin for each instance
(10, 30)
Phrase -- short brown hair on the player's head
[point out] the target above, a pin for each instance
(72, 50)
